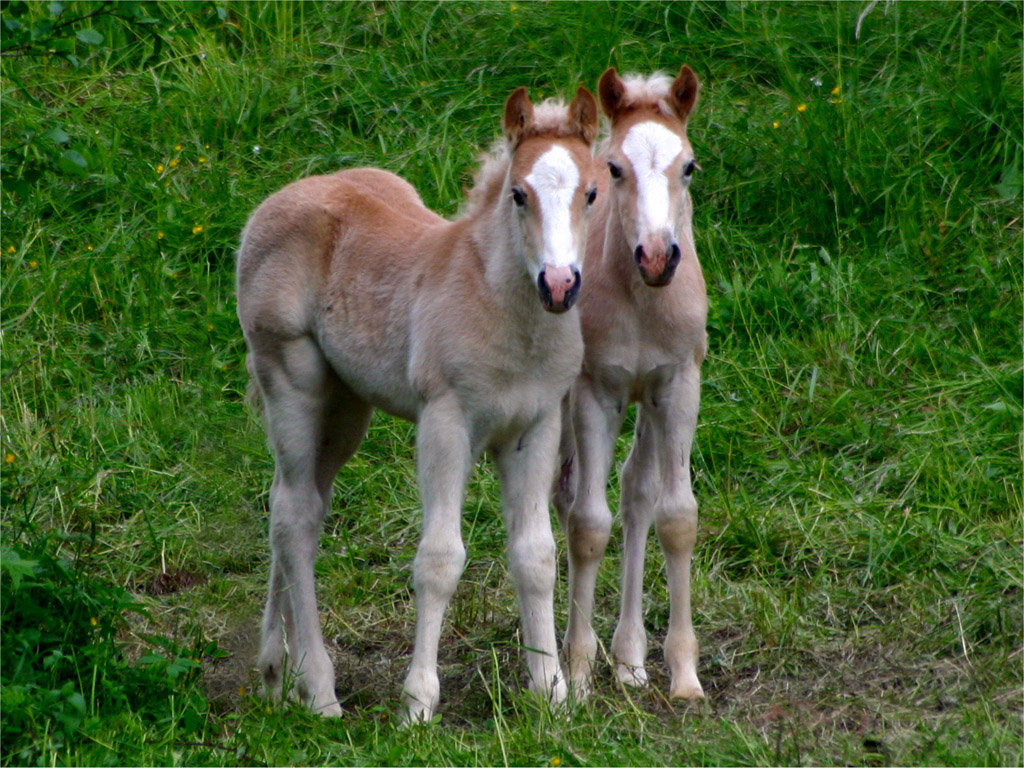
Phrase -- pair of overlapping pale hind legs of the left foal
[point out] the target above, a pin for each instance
(315, 424)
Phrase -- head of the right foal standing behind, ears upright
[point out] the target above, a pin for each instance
(652, 163)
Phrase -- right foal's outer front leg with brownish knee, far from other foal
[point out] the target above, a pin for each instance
(676, 520)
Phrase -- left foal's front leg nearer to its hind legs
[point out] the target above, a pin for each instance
(444, 462)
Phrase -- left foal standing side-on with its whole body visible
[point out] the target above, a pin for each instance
(353, 296)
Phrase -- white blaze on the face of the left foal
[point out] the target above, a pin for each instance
(554, 179)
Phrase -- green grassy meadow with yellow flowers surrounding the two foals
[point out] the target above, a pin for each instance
(859, 577)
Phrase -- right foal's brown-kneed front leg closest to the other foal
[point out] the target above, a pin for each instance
(598, 418)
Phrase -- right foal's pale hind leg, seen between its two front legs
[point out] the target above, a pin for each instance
(641, 488)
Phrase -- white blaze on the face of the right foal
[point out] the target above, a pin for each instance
(652, 148)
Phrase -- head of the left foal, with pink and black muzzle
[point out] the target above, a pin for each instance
(552, 183)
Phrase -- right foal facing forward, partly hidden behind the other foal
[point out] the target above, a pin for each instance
(644, 318)
